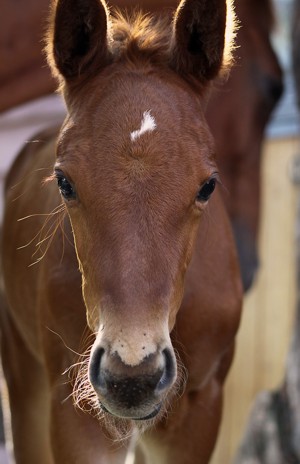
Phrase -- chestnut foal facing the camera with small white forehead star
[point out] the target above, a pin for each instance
(142, 268)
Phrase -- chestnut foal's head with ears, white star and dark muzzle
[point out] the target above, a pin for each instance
(136, 168)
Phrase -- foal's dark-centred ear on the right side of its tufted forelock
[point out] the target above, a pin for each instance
(199, 38)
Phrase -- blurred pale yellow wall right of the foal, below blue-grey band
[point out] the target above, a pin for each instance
(269, 308)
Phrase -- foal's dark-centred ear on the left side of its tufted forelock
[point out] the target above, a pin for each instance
(78, 37)
